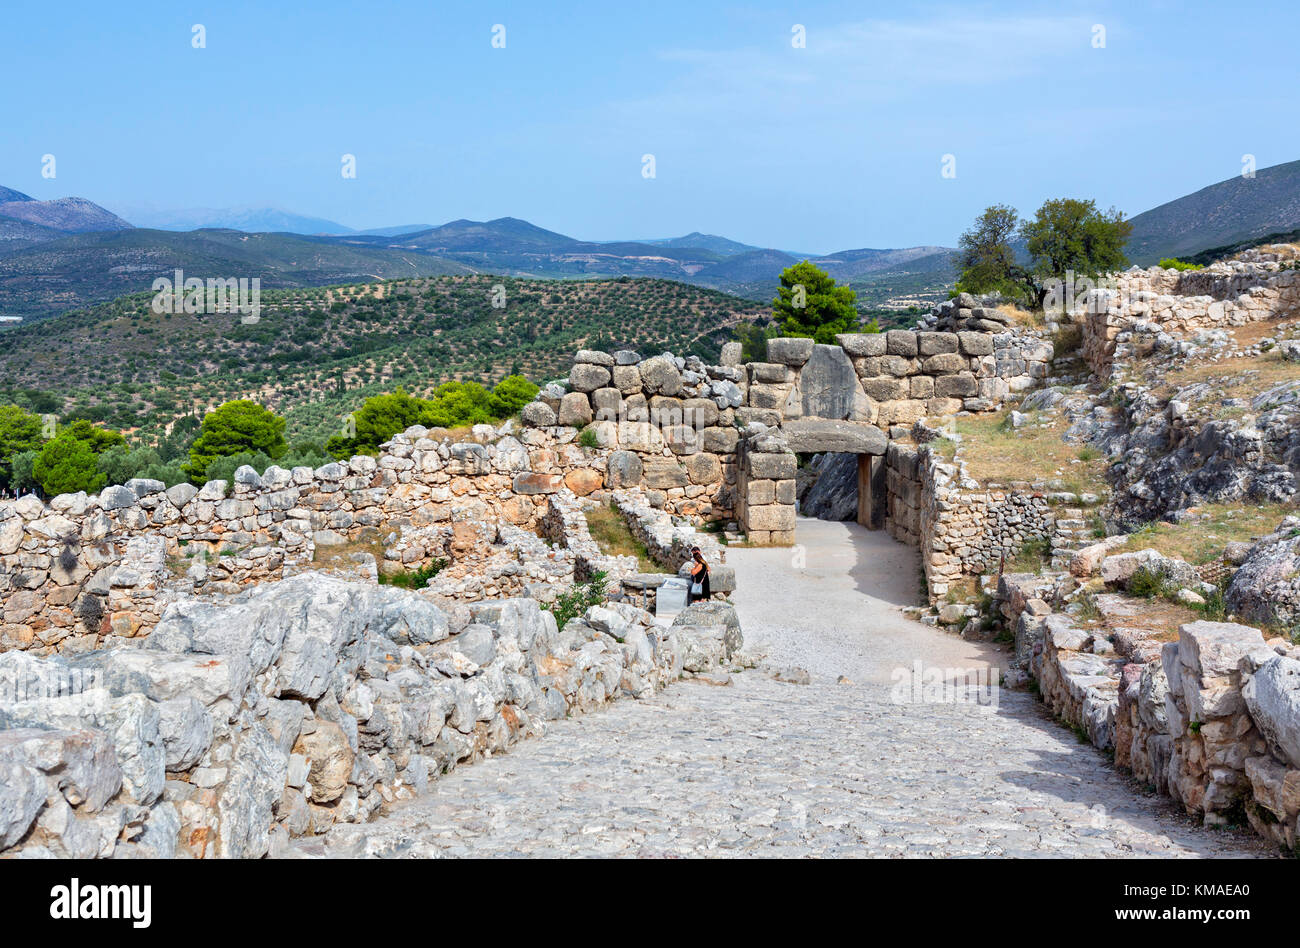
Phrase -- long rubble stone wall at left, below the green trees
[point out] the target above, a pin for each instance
(89, 572)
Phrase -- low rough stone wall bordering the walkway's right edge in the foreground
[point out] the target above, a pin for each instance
(1211, 720)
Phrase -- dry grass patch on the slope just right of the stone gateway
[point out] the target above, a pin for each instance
(996, 453)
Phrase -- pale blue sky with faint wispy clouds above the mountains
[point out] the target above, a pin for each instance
(834, 146)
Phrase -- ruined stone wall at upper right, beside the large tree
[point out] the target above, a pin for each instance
(1146, 304)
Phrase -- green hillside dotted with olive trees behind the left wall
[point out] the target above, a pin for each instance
(317, 354)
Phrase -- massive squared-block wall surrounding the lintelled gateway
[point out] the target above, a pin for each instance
(695, 436)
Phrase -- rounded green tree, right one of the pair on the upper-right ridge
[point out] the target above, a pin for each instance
(1069, 235)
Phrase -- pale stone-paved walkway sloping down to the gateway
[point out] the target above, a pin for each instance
(764, 768)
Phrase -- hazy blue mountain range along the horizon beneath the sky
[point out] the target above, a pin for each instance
(57, 256)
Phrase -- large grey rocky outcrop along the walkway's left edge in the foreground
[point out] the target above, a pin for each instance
(298, 705)
